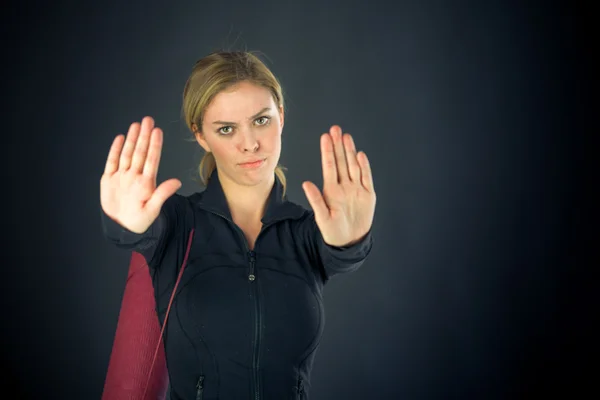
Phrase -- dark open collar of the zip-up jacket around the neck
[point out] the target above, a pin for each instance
(278, 207)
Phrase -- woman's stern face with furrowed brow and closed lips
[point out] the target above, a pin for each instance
(243, 124)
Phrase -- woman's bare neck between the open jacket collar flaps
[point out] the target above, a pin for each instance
(246, 203)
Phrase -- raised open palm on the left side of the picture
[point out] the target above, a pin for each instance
(128, 192)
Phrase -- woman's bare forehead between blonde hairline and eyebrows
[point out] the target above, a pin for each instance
(239, 102)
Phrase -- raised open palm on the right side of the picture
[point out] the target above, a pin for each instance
(344, 212)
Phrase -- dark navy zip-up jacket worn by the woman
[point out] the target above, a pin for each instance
(244, 324)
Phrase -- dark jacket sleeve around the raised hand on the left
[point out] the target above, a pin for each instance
(150, 243)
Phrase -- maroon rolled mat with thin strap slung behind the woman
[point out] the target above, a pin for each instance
(137, 368)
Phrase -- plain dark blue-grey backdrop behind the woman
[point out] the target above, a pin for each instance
(473, 115)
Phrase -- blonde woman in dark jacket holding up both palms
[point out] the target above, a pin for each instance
(248, 313)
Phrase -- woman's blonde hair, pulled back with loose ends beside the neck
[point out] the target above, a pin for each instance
(217, 72)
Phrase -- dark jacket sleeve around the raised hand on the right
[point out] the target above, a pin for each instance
(333, 260)
